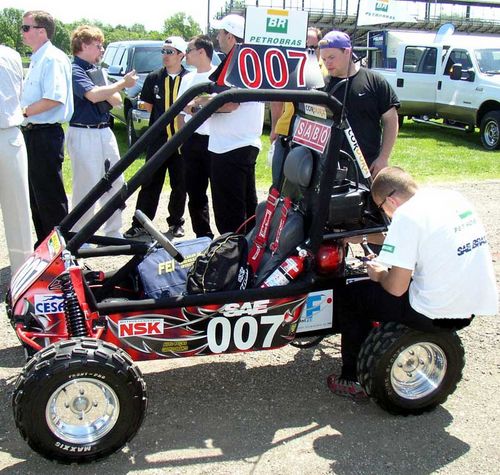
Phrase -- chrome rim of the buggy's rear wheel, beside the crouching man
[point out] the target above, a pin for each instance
(418, 370)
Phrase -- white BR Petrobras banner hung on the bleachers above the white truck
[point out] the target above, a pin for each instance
(374, 12)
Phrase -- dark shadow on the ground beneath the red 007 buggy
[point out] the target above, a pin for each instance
(216, 412)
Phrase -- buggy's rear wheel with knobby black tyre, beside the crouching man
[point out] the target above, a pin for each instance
(407, 371)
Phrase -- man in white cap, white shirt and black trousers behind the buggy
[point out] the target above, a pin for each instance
(234, 143)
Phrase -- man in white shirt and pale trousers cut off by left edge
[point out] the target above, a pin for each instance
(14, 191)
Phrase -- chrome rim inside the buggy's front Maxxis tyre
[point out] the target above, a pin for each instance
(82, 411)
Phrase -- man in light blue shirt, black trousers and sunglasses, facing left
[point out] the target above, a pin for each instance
(46, 101)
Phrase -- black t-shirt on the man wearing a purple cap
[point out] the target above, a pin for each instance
(369, 96)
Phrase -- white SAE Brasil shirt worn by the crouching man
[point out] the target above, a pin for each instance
(438, 235)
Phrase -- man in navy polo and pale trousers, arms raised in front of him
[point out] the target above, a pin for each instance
(90, 141)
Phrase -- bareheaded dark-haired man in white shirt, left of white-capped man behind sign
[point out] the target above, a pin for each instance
(195, 152)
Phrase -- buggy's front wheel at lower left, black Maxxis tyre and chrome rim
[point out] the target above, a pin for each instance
(79, 400)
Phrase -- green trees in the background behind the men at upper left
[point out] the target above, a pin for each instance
(11, 20)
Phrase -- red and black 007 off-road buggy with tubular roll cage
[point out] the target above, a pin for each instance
(80, 396)
